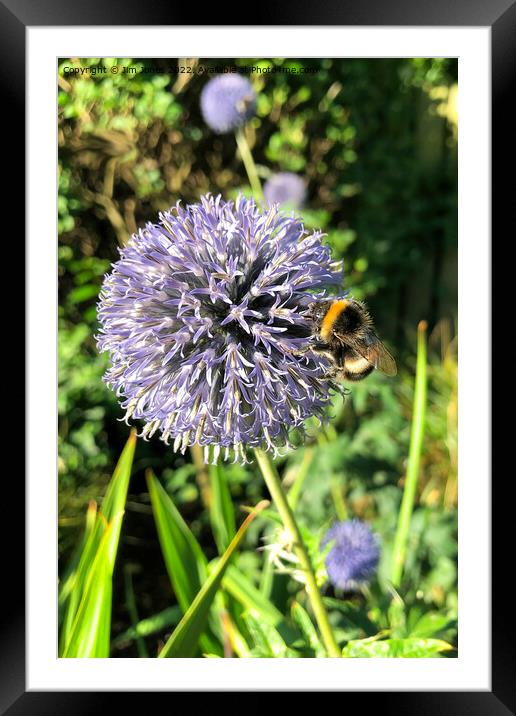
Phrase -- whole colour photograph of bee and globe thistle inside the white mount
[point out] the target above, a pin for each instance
(257, 357)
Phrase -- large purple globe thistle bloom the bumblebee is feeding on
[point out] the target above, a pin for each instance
(203, 319)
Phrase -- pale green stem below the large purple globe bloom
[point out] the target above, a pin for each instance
(273, 482)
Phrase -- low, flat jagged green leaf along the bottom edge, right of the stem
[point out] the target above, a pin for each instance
(410, 648)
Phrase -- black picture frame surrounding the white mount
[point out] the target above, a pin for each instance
(500, 15)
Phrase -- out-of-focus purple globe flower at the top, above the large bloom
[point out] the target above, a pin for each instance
(227, 102)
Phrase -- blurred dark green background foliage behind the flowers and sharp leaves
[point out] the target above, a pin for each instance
(376, 141)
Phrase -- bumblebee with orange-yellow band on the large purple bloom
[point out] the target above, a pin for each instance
(344, 332)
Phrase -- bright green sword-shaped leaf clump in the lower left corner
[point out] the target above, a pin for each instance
(85, 596)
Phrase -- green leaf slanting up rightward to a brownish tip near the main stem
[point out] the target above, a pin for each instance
(185, 637)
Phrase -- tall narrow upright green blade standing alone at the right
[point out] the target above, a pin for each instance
(416, 444)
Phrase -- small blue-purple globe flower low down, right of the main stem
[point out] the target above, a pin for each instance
(353, 558)
